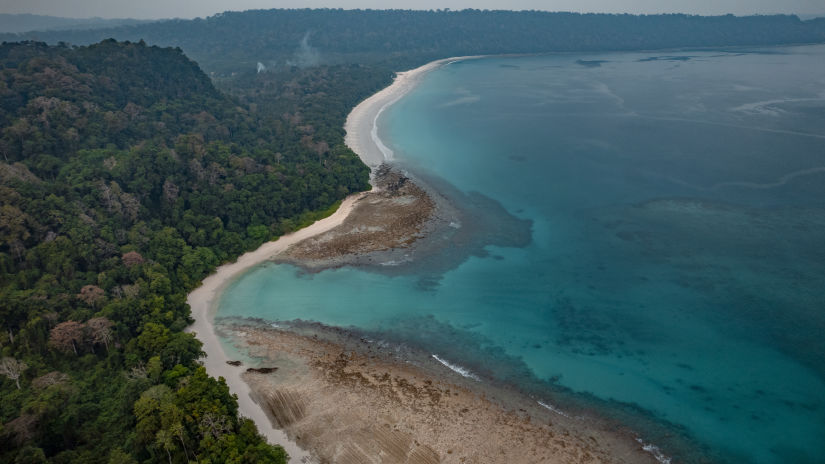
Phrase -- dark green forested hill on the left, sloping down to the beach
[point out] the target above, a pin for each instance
(125, 178)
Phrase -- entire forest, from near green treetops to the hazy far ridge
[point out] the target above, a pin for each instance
(127, 175)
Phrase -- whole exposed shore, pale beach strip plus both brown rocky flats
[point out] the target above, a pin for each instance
(328, 395)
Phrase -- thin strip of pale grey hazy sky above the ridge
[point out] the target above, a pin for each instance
(193, 8)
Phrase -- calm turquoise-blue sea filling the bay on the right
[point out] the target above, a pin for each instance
(675, 276)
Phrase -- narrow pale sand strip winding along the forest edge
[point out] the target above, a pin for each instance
(362, 139)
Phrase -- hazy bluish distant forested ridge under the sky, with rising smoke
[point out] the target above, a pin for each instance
(237, 41)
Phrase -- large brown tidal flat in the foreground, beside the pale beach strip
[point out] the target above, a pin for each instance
(353, 400)
